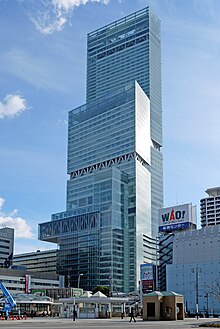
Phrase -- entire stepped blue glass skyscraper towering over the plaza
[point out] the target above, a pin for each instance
(114, 159)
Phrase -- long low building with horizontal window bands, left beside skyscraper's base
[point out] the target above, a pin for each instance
(39, 261)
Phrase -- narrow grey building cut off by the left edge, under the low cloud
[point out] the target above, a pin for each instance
(6, 246)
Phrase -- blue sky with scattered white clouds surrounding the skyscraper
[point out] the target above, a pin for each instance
(43, 76)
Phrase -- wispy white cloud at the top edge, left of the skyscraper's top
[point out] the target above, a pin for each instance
(53, 14)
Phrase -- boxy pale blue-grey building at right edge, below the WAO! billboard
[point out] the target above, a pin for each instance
(195, 269)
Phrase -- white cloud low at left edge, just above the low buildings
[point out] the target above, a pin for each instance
(21, 227)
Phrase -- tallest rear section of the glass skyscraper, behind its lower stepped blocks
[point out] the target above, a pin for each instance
(124, 51)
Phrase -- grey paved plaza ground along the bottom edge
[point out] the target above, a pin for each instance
(55, 323)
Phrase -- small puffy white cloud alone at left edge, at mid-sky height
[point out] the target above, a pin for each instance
(12, 105)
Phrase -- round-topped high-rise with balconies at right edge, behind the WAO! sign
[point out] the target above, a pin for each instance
(210, 207)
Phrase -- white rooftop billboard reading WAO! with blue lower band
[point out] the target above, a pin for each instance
(177, 218)
